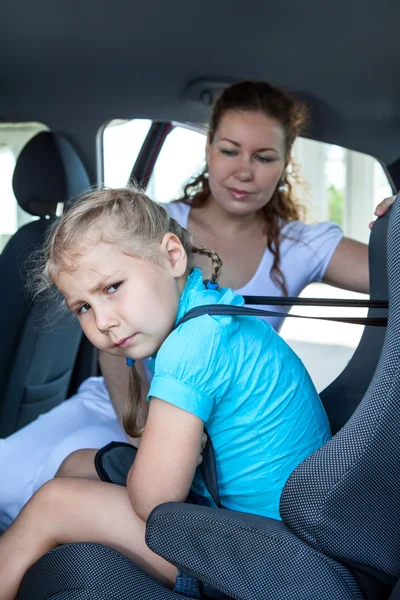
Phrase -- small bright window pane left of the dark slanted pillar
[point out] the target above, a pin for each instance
(122, 141)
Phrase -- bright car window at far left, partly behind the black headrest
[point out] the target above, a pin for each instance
(13, 137)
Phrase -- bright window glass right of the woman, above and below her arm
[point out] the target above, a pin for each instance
(343, 186)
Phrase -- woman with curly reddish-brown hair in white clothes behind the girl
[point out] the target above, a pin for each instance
(243, 206)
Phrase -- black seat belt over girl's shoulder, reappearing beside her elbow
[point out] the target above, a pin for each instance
(208, 467)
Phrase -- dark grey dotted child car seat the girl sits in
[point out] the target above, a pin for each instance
(339, 538)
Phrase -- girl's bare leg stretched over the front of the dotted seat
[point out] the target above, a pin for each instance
(76, 510)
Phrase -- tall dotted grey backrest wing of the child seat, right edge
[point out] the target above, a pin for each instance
(344, 499)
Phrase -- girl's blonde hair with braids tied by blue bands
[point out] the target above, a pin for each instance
(128, 218)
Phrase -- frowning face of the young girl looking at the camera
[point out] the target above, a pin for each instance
(126, 306)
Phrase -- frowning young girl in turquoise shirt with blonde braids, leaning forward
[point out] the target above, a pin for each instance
(125, 269)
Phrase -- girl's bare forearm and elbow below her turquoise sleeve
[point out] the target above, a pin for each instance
(166, 461)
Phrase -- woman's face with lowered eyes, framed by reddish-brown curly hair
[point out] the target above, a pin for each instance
(246, 160)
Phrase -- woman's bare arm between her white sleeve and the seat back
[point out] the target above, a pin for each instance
(348, 268)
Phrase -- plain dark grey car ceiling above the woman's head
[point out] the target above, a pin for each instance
(97, 60)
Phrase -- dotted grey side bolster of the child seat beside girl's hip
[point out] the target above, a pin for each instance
(246, 556)
